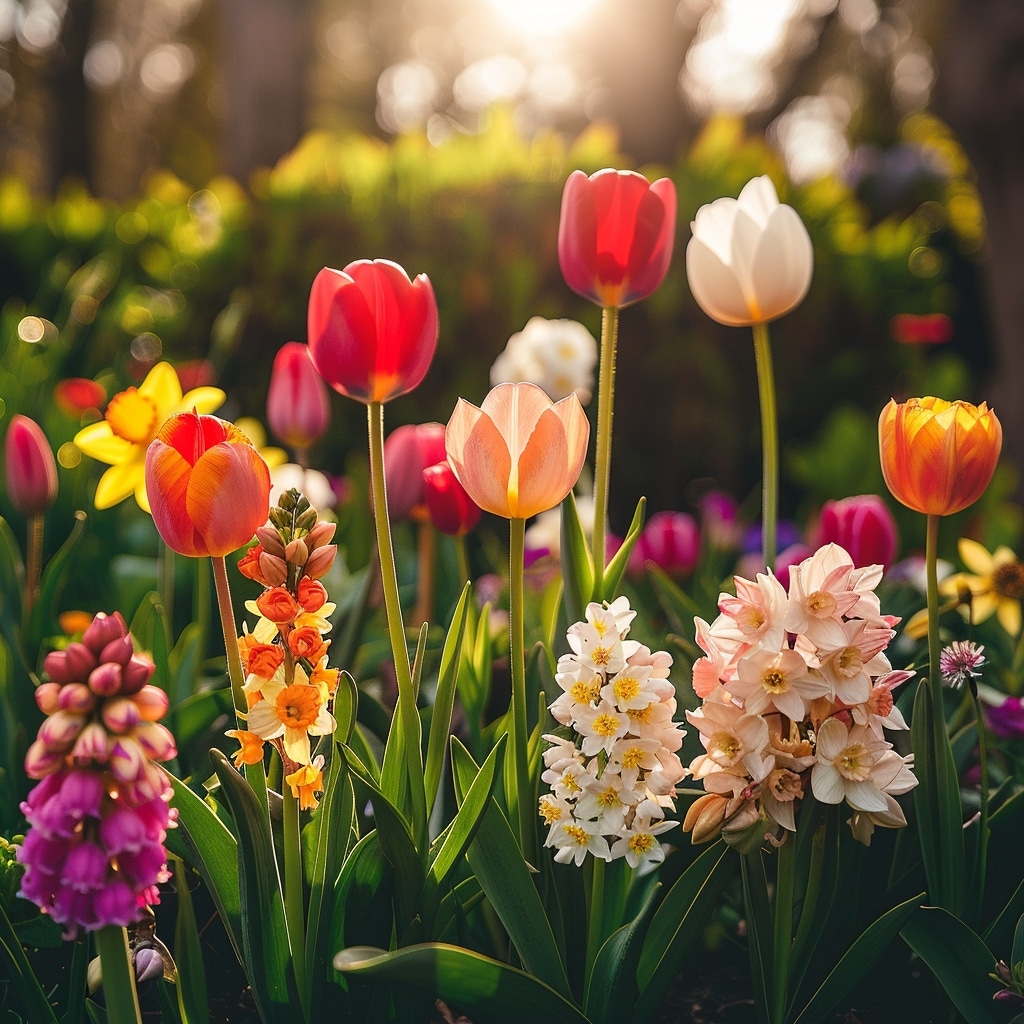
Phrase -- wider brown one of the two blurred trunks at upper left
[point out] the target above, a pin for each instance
(265, 55)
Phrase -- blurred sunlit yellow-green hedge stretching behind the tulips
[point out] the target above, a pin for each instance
(223, 274)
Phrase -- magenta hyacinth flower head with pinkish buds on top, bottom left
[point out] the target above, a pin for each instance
(95, 851)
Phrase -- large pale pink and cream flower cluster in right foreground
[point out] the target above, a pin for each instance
(797, 693)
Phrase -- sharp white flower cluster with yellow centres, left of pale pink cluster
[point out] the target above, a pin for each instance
(615, 777)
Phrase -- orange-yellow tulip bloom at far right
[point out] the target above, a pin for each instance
(938, 457)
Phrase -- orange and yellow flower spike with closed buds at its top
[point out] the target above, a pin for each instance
(289, 686)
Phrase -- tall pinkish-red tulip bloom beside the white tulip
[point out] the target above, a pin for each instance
(616, 235)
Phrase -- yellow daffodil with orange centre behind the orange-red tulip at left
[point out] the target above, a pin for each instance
(134, 418)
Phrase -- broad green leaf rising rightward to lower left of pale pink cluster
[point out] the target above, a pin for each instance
(678, 924)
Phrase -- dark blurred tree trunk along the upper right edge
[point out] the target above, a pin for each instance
(982, 97)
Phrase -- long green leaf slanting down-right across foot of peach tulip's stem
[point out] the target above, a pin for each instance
(495, 859)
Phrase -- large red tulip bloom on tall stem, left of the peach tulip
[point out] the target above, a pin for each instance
(372, 331)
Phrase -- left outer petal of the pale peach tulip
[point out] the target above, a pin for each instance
(480, 457)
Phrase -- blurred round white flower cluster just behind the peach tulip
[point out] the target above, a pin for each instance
(559, 356)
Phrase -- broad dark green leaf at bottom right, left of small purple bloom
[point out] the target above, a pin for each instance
(958, 958)
